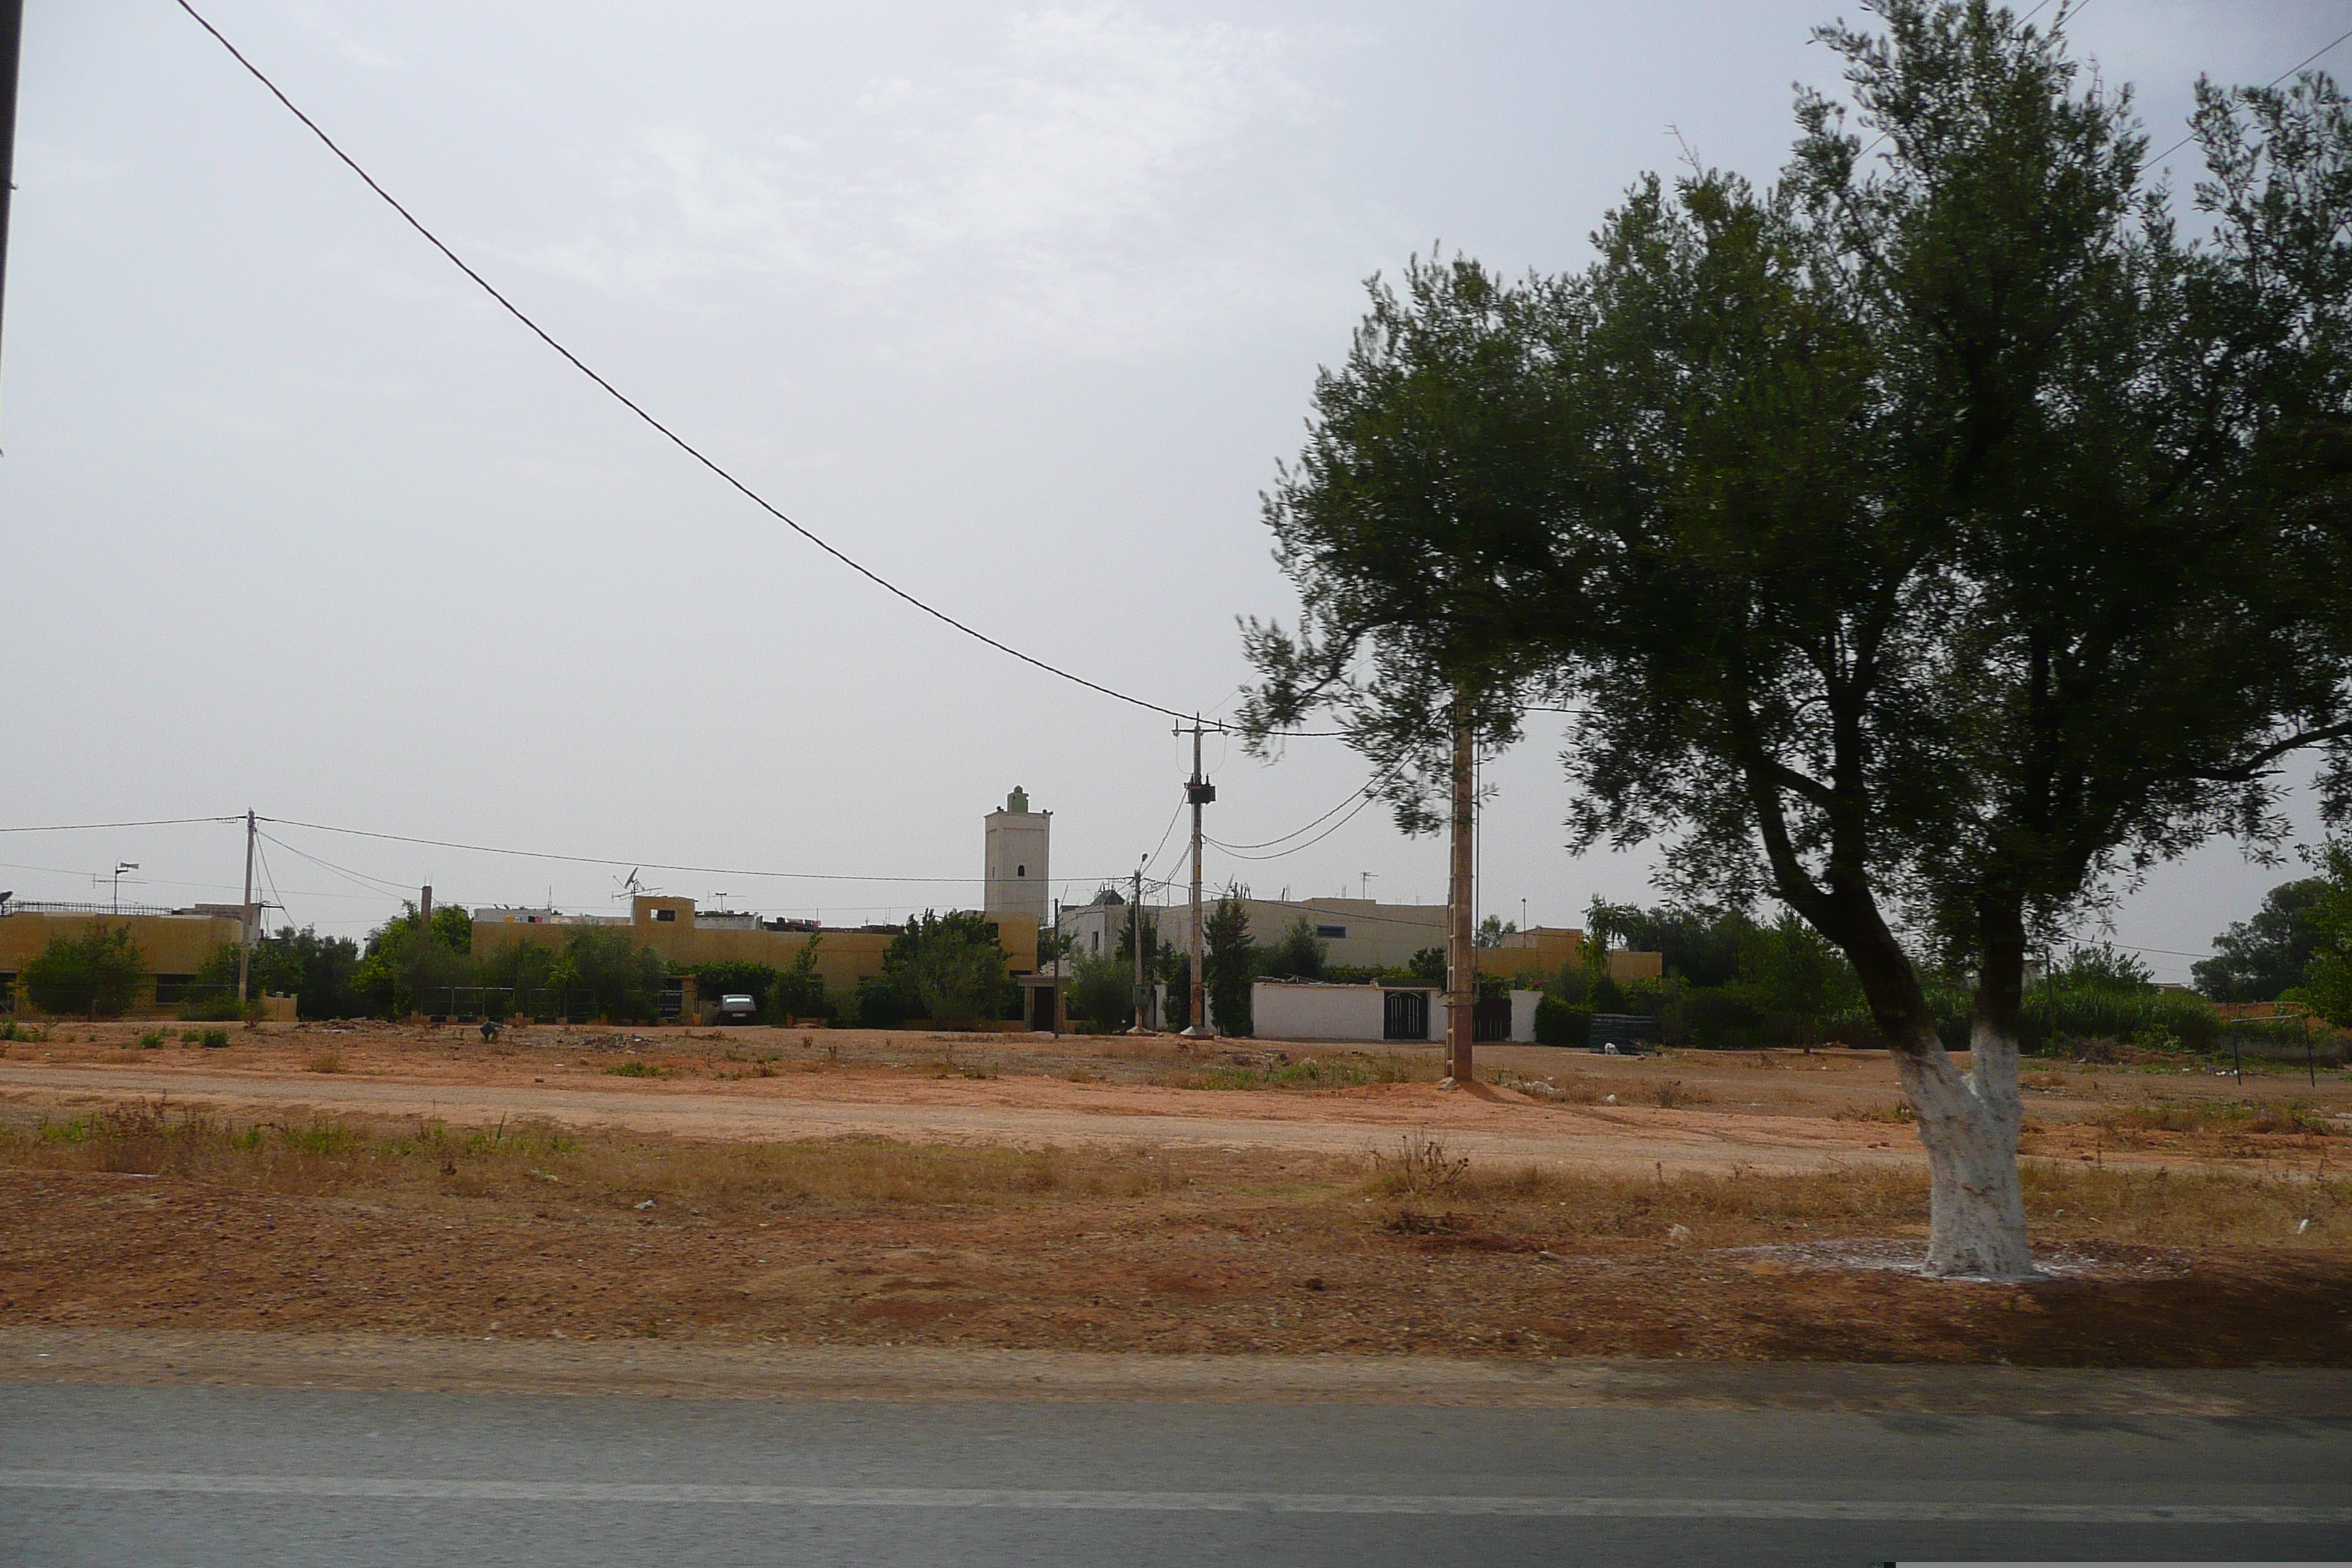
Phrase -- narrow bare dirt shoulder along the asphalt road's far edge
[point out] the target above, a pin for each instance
(909, 1374)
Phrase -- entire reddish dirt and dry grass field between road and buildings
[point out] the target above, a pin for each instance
(1017, 1193)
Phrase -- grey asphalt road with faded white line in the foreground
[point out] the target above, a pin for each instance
(175, 1475)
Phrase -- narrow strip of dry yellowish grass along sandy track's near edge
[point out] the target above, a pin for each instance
(427, 1162)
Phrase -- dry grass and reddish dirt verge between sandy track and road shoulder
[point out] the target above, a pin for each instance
(530, 1231)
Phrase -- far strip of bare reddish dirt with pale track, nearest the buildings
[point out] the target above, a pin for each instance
(1690, 1111)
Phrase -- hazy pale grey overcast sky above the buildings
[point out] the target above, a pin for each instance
(1015, 304)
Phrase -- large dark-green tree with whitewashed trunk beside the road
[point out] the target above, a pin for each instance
(1930, 540)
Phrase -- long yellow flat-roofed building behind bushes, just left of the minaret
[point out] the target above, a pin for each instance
(686, 937)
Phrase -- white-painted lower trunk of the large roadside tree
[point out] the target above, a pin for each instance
(1970, 1125)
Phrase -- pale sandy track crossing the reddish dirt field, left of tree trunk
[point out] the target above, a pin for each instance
(1488, 1125)
